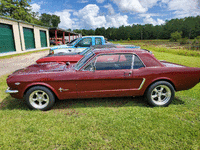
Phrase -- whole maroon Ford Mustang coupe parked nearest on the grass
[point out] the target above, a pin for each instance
(102, 73)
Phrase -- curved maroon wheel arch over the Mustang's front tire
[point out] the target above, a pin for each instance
(43, 85)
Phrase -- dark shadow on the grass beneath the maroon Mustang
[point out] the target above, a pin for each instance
(10, 103)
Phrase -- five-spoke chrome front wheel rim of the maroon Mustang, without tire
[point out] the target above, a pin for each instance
(39, 99)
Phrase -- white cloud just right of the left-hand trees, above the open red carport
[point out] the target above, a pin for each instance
(65, 19)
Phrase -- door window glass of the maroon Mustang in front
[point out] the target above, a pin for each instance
(114, 62)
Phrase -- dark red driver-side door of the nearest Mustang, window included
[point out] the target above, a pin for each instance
(112, 77)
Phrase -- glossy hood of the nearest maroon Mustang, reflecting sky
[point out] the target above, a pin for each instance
(42, 67)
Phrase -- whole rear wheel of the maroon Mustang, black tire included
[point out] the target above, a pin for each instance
(160, 94)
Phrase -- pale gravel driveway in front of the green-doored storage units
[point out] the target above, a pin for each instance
(11, 64)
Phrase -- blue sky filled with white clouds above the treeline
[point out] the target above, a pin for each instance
(92, 14)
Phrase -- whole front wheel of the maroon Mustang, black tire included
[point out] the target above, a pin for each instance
(39, 97)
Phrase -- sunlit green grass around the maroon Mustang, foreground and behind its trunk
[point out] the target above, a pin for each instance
(107, 123)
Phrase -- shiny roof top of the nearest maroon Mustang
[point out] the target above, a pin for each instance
(119, 50)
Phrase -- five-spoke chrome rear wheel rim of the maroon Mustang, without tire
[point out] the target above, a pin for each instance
(161, 95)
